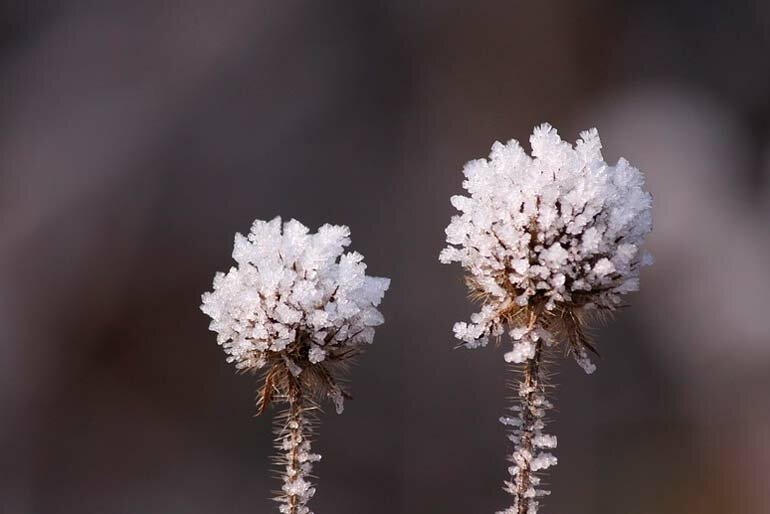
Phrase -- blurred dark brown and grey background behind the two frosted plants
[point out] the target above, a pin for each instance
(136, 137)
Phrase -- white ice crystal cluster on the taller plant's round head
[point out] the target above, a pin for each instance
(561, 227)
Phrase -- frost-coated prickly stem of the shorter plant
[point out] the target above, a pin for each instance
(298, 458)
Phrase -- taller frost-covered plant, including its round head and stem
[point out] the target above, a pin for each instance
(546, 241)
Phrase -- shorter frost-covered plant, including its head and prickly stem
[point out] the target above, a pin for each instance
(299, 309)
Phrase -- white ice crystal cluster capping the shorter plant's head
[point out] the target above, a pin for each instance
(291, 286)
